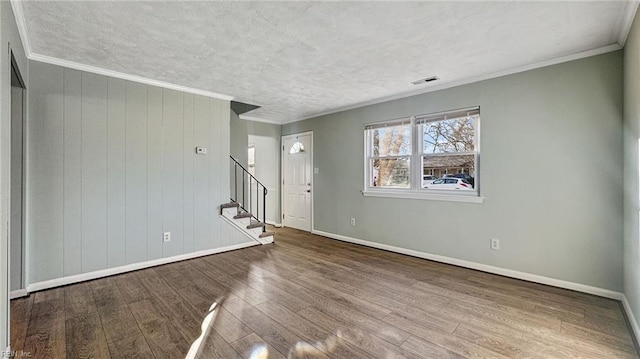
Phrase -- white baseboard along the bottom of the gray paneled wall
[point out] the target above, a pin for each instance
(131, 267)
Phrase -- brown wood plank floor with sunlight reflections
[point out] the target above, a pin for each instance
(307, 296)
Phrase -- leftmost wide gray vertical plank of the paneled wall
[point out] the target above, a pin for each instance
(45, 179)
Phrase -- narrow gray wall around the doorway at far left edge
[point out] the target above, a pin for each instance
(9, 40)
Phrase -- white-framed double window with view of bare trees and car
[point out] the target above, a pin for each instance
(424, 156)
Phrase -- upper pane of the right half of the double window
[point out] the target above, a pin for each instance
(449, 136)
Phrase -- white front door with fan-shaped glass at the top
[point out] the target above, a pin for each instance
(296, 181)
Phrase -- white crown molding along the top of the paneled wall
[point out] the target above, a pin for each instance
(123, 76)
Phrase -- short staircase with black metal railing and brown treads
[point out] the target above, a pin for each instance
(245, 207)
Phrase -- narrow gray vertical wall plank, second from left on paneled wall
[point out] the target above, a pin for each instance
(72, 172)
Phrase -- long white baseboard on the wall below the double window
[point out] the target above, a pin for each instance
(481, 267)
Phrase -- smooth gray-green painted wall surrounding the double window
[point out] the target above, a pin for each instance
(551, 174)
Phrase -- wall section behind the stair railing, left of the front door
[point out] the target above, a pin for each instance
(266, 139)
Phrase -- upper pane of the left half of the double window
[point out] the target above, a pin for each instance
(391, 141)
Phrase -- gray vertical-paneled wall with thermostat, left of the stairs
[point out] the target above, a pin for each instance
(112, 164)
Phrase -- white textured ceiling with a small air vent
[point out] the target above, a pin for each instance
(300, 59)
